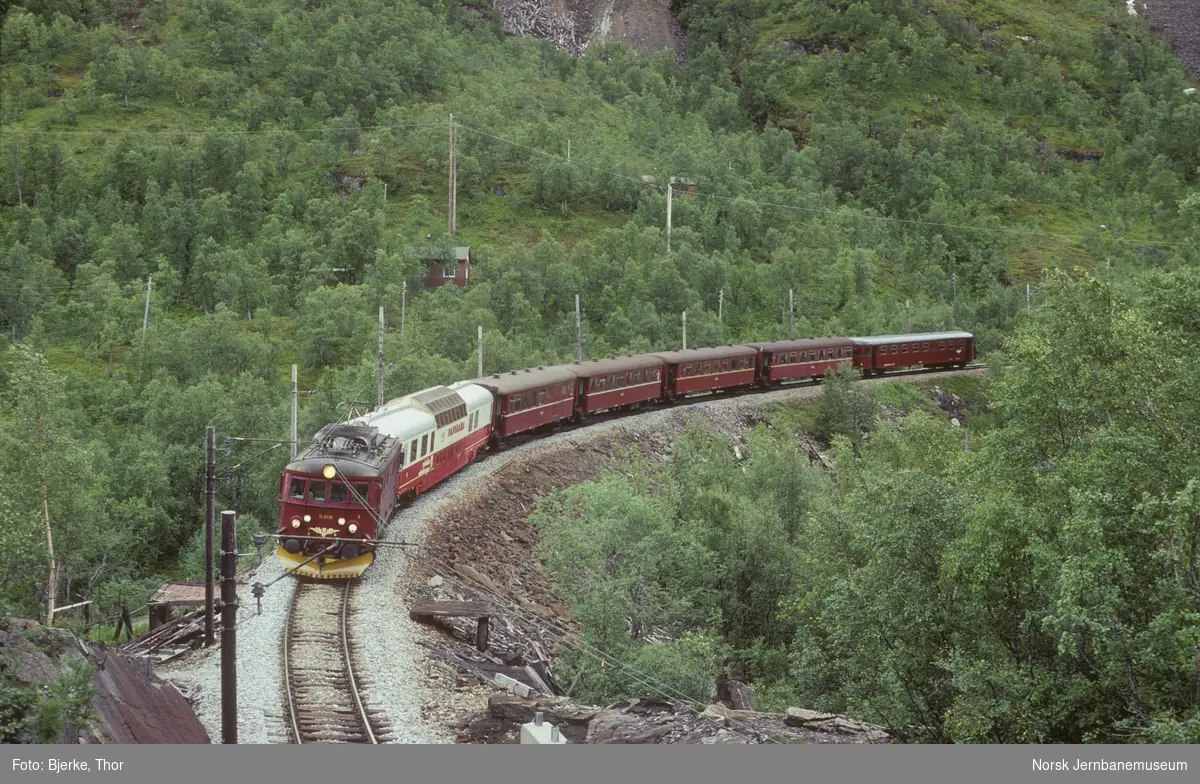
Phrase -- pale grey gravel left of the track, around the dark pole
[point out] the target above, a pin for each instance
(260, 665)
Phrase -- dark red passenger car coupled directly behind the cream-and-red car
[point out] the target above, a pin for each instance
(530, 399)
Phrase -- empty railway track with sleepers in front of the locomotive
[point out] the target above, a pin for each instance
(325, 704)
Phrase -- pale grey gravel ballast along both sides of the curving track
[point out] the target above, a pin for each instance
(393, 668)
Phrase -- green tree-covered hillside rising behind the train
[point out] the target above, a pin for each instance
(248, 158)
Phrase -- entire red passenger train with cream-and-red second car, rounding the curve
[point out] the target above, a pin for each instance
(343, 488)
